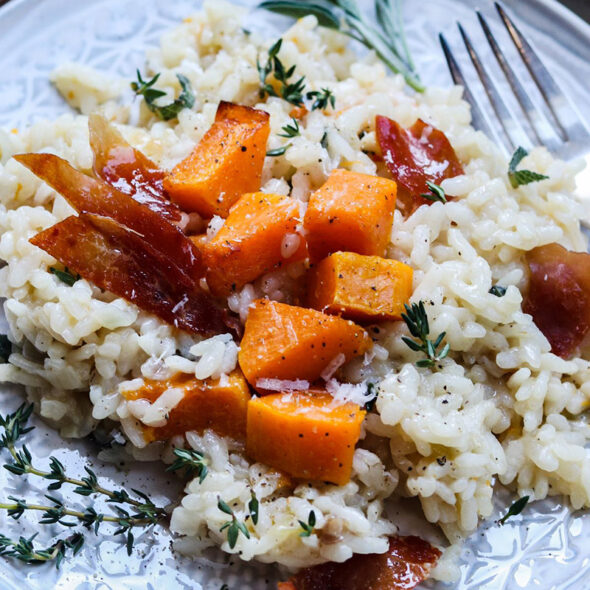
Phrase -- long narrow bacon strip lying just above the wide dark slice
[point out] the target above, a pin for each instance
(89, 195)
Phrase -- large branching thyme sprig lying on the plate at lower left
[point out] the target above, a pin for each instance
(141, 512)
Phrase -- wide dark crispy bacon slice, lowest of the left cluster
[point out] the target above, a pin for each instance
(119, 260)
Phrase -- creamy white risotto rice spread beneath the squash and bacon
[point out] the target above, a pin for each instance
(499, 407)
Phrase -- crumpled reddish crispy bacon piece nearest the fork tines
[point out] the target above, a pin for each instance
(414, 156)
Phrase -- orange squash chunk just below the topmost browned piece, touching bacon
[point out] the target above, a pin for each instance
(250, 242)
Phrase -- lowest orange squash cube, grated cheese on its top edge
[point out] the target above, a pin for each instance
(304, 434)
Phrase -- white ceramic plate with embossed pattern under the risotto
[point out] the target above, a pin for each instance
(547, 548)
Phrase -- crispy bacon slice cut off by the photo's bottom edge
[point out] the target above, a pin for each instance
(407, 563)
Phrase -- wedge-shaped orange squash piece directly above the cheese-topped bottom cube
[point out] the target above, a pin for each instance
(287, 342)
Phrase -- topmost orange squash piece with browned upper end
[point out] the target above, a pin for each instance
(226, 163)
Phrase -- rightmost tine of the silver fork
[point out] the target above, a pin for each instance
(572, 129)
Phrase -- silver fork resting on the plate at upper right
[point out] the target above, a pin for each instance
(557, 126)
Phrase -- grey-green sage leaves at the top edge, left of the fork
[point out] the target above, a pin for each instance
(388, 40)
